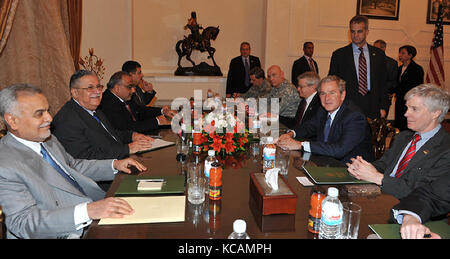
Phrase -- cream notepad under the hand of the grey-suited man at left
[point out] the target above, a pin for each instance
(151, 210)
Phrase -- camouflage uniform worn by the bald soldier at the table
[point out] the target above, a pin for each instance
(288, 96)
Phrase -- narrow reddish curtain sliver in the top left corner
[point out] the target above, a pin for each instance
(7, 14)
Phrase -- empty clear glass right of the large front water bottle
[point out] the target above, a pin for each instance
(350, 220)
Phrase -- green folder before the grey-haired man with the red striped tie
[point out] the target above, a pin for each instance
(331, 175)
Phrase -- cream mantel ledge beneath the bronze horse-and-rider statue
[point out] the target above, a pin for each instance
(169, 86)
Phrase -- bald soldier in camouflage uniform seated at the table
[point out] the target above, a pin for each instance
(284, 91)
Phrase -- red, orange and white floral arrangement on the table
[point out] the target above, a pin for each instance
(224, 133)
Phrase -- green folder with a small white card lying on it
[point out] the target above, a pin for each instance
(174, 184)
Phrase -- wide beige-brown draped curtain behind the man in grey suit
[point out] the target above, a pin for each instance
(37, 51)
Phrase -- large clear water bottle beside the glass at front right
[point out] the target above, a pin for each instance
(331, 218)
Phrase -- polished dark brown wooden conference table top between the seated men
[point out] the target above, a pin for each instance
(214, 219)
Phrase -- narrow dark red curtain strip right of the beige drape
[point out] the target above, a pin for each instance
(74, 9)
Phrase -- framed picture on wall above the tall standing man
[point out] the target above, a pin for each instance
(378, 9)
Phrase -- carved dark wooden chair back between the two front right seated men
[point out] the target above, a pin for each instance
(382, 135)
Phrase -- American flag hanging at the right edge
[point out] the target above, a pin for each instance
(435, 72)
